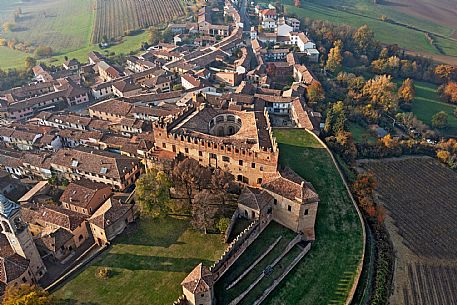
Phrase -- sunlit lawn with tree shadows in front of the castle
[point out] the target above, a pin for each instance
(148, 265)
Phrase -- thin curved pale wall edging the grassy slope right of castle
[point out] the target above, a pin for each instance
(362, 222)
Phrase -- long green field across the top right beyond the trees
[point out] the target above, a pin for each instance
(359, 12)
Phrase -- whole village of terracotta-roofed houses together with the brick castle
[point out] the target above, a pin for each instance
(78, 137)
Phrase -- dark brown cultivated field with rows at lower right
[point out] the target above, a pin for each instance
(420, 197)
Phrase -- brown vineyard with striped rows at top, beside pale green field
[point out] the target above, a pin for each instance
(115, 18)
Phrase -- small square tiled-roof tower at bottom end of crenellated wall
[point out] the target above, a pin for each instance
(198, 286)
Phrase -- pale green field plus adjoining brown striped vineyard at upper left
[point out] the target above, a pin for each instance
(71, 28)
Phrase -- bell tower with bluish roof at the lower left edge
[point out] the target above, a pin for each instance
(19, 237)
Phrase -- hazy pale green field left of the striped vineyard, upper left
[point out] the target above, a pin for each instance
(64, 25)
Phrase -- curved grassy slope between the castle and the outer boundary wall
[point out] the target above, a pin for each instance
(327, 272)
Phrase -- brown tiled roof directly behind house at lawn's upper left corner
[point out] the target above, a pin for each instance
(81, 192)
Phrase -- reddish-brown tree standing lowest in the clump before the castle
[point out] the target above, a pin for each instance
(204, 210)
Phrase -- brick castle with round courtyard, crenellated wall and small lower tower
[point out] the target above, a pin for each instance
(234, 133)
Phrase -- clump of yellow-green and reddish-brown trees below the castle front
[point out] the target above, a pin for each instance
(188, 188)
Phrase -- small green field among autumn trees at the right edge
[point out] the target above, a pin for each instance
(428, 102)
